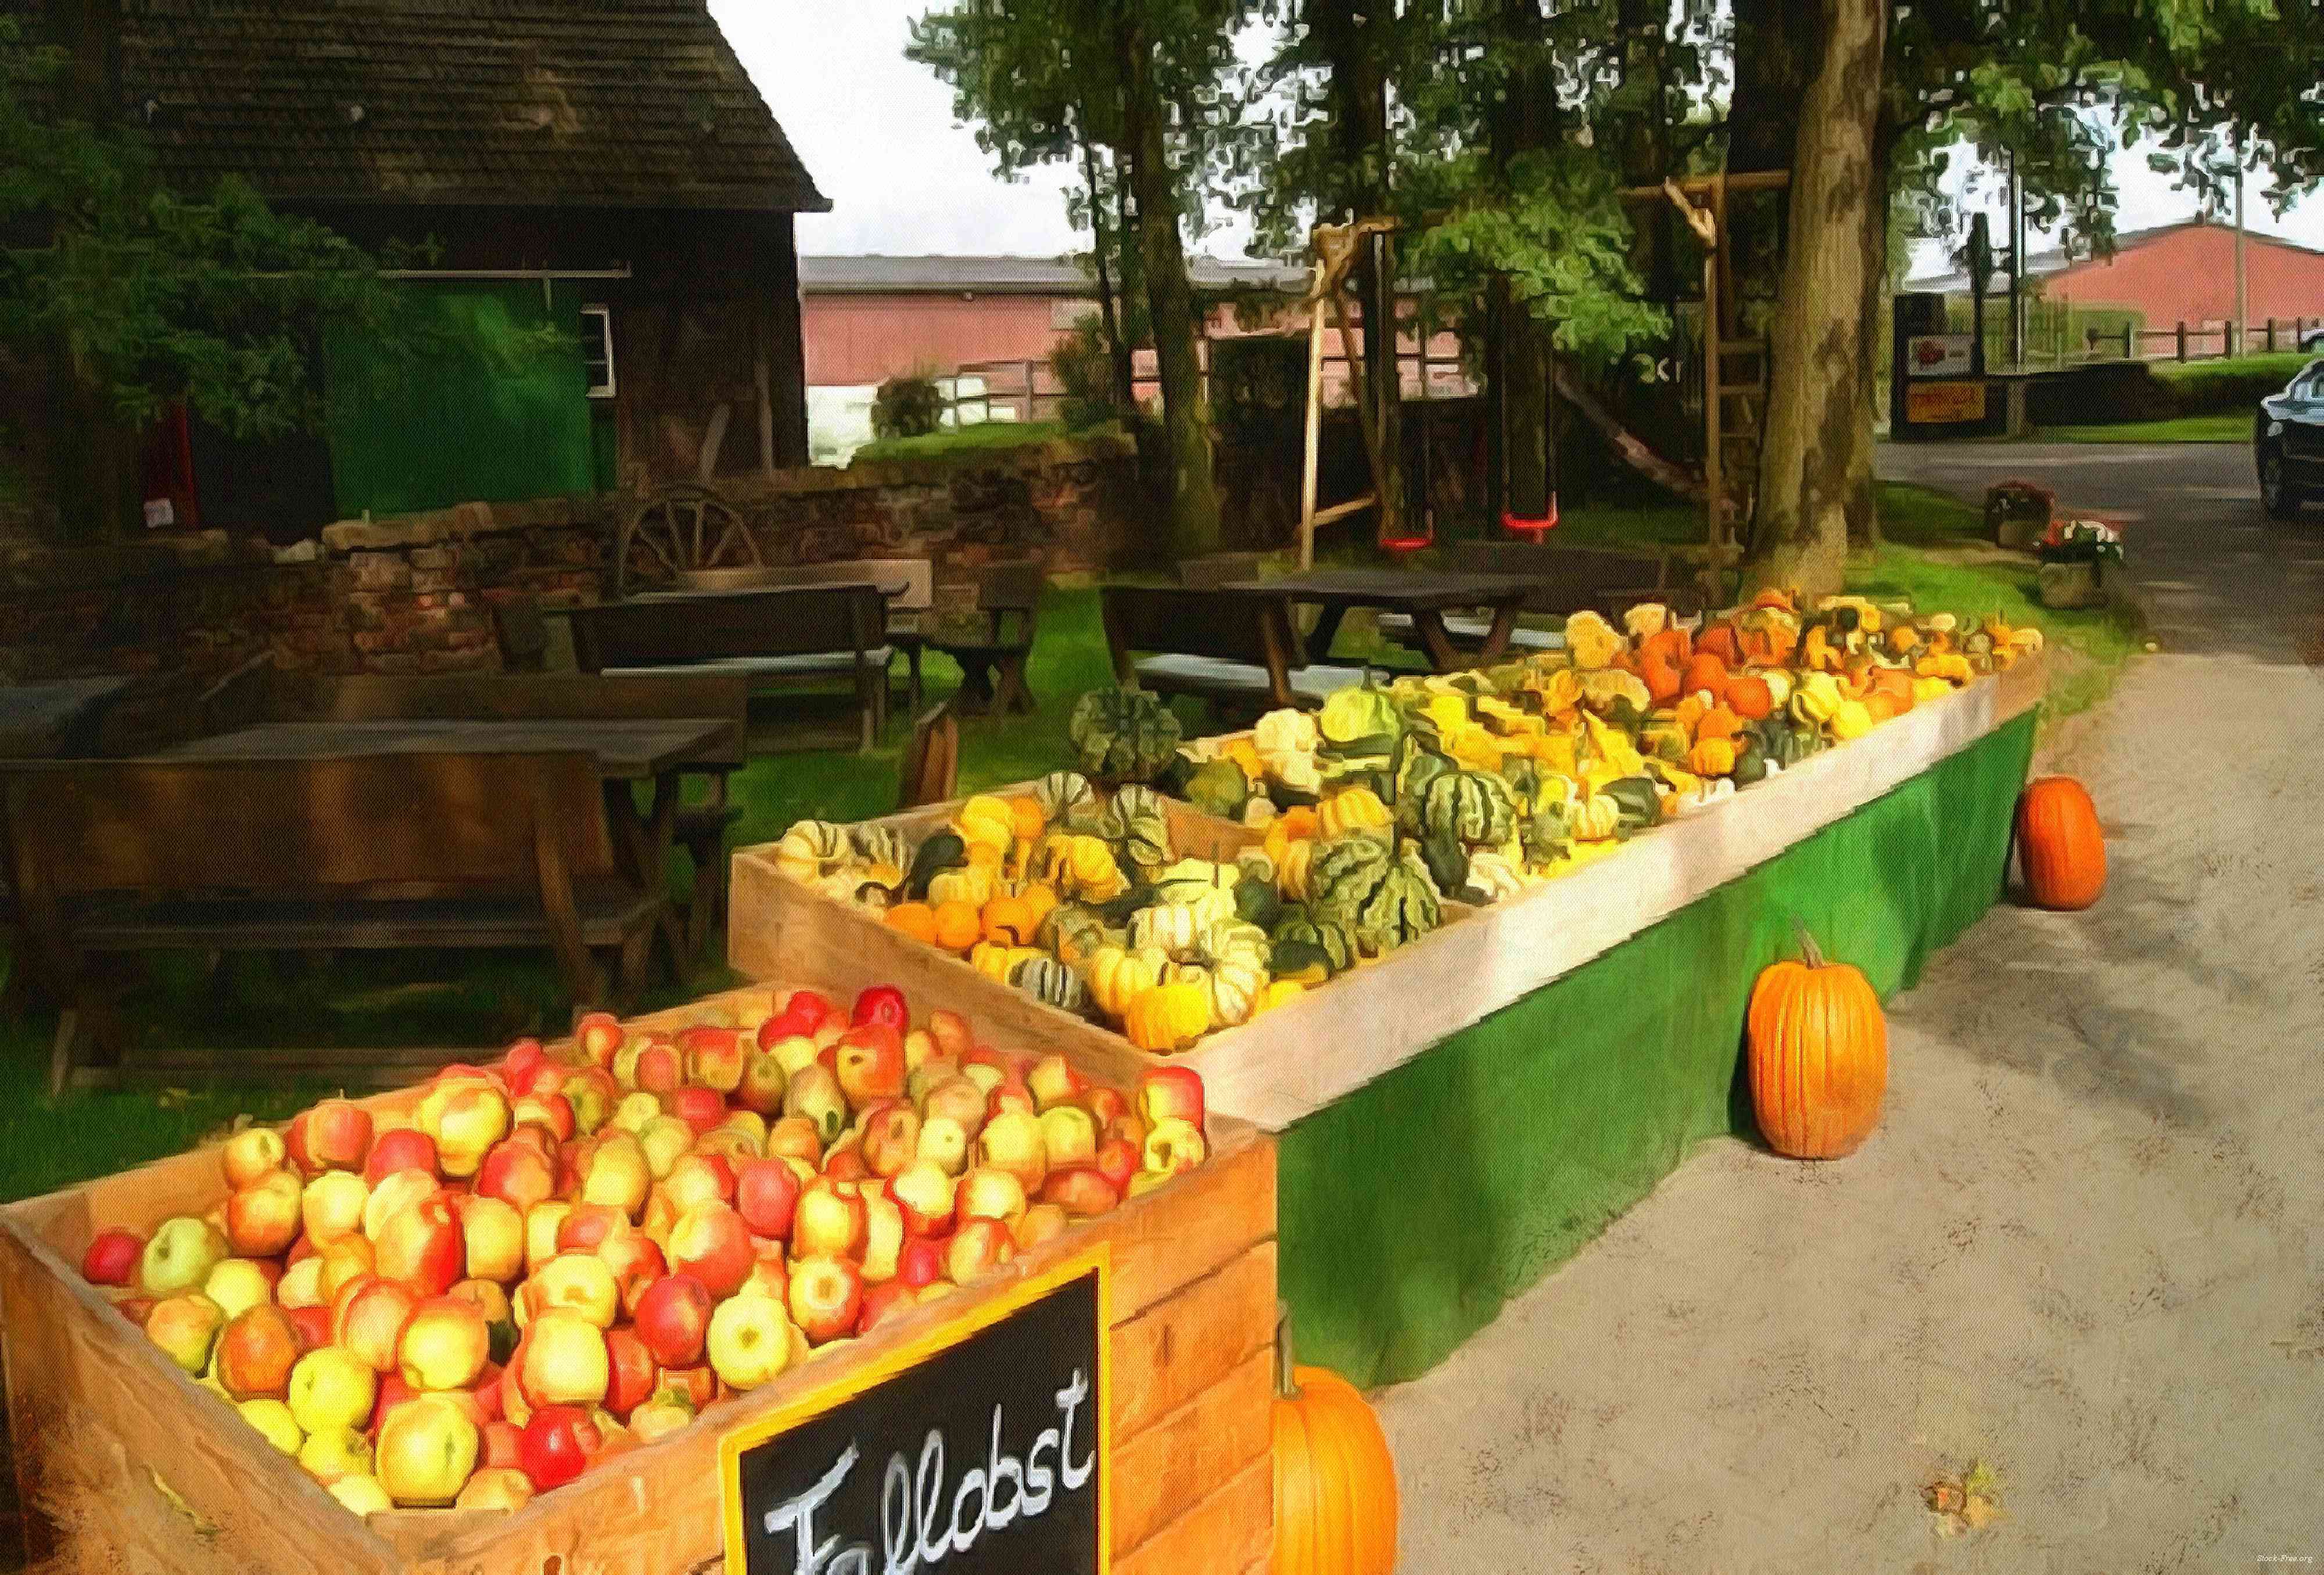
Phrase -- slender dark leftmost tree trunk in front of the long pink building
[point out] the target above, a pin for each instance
(1186, 410)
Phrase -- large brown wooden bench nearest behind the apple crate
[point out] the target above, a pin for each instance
(364, 854)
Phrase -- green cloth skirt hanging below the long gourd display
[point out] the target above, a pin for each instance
(1419, 1204)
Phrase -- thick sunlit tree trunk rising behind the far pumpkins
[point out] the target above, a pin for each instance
(1816, 347)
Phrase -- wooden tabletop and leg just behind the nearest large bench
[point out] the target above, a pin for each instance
(626, 749)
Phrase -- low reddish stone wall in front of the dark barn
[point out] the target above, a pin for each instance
(415, 594)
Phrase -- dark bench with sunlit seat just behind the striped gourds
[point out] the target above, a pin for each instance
(1226, 647)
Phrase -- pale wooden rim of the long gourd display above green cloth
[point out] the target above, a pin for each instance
(1337, 1037)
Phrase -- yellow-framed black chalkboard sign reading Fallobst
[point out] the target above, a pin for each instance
(980, 1448)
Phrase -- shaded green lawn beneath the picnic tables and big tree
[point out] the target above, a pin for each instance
(1935, 556)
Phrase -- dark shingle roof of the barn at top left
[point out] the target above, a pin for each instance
(568, 103)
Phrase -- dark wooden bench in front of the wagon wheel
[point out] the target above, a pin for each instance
(768, 638)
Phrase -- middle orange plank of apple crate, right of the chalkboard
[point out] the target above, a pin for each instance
(1191, 1342)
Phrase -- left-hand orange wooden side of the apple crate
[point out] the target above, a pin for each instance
(99, 1414)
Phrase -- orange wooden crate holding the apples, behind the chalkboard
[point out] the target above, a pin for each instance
(124, 1465)
